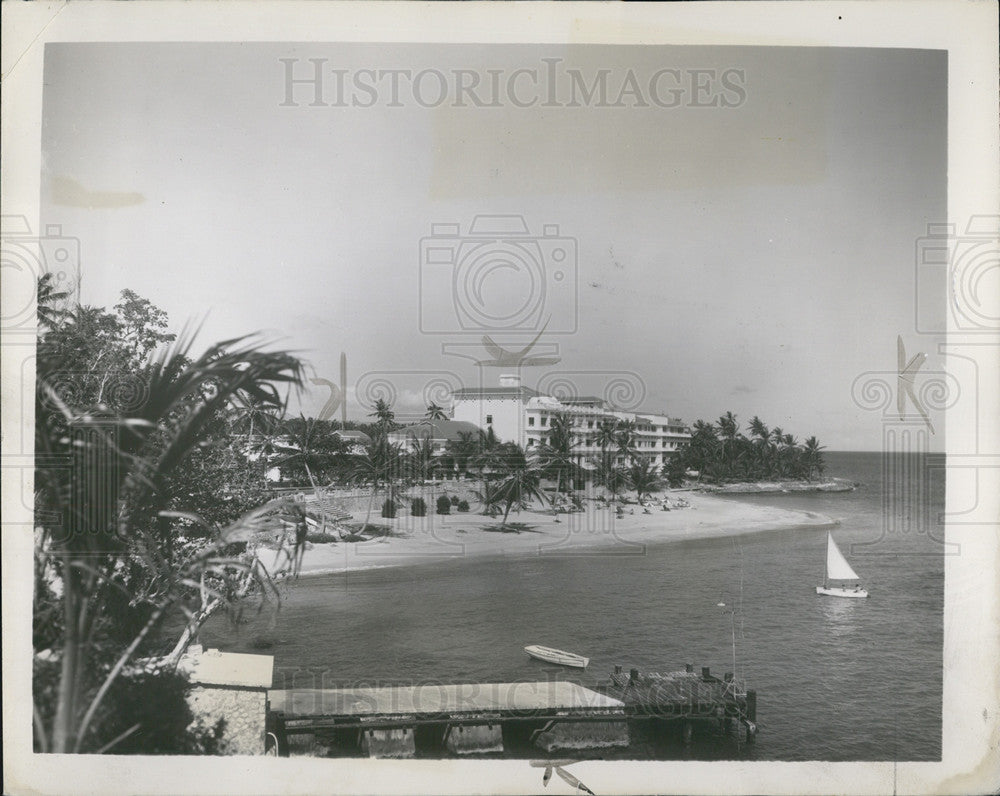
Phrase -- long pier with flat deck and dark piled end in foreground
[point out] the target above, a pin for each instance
(513, 719)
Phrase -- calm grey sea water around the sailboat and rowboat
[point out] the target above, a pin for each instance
(836, 679)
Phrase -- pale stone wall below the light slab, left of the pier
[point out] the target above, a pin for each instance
(244, 710)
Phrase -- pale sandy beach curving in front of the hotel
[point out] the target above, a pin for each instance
(436, 538)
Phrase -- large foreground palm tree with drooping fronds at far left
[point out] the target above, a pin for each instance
(104, 528)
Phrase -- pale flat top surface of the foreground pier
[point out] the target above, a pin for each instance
(439, 698)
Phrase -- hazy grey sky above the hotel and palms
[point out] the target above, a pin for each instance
(730, 228)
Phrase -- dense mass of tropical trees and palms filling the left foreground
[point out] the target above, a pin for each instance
(132, 526)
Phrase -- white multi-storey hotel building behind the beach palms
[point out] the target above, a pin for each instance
(520, 414)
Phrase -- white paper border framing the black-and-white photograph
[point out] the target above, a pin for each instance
(971, 730)
